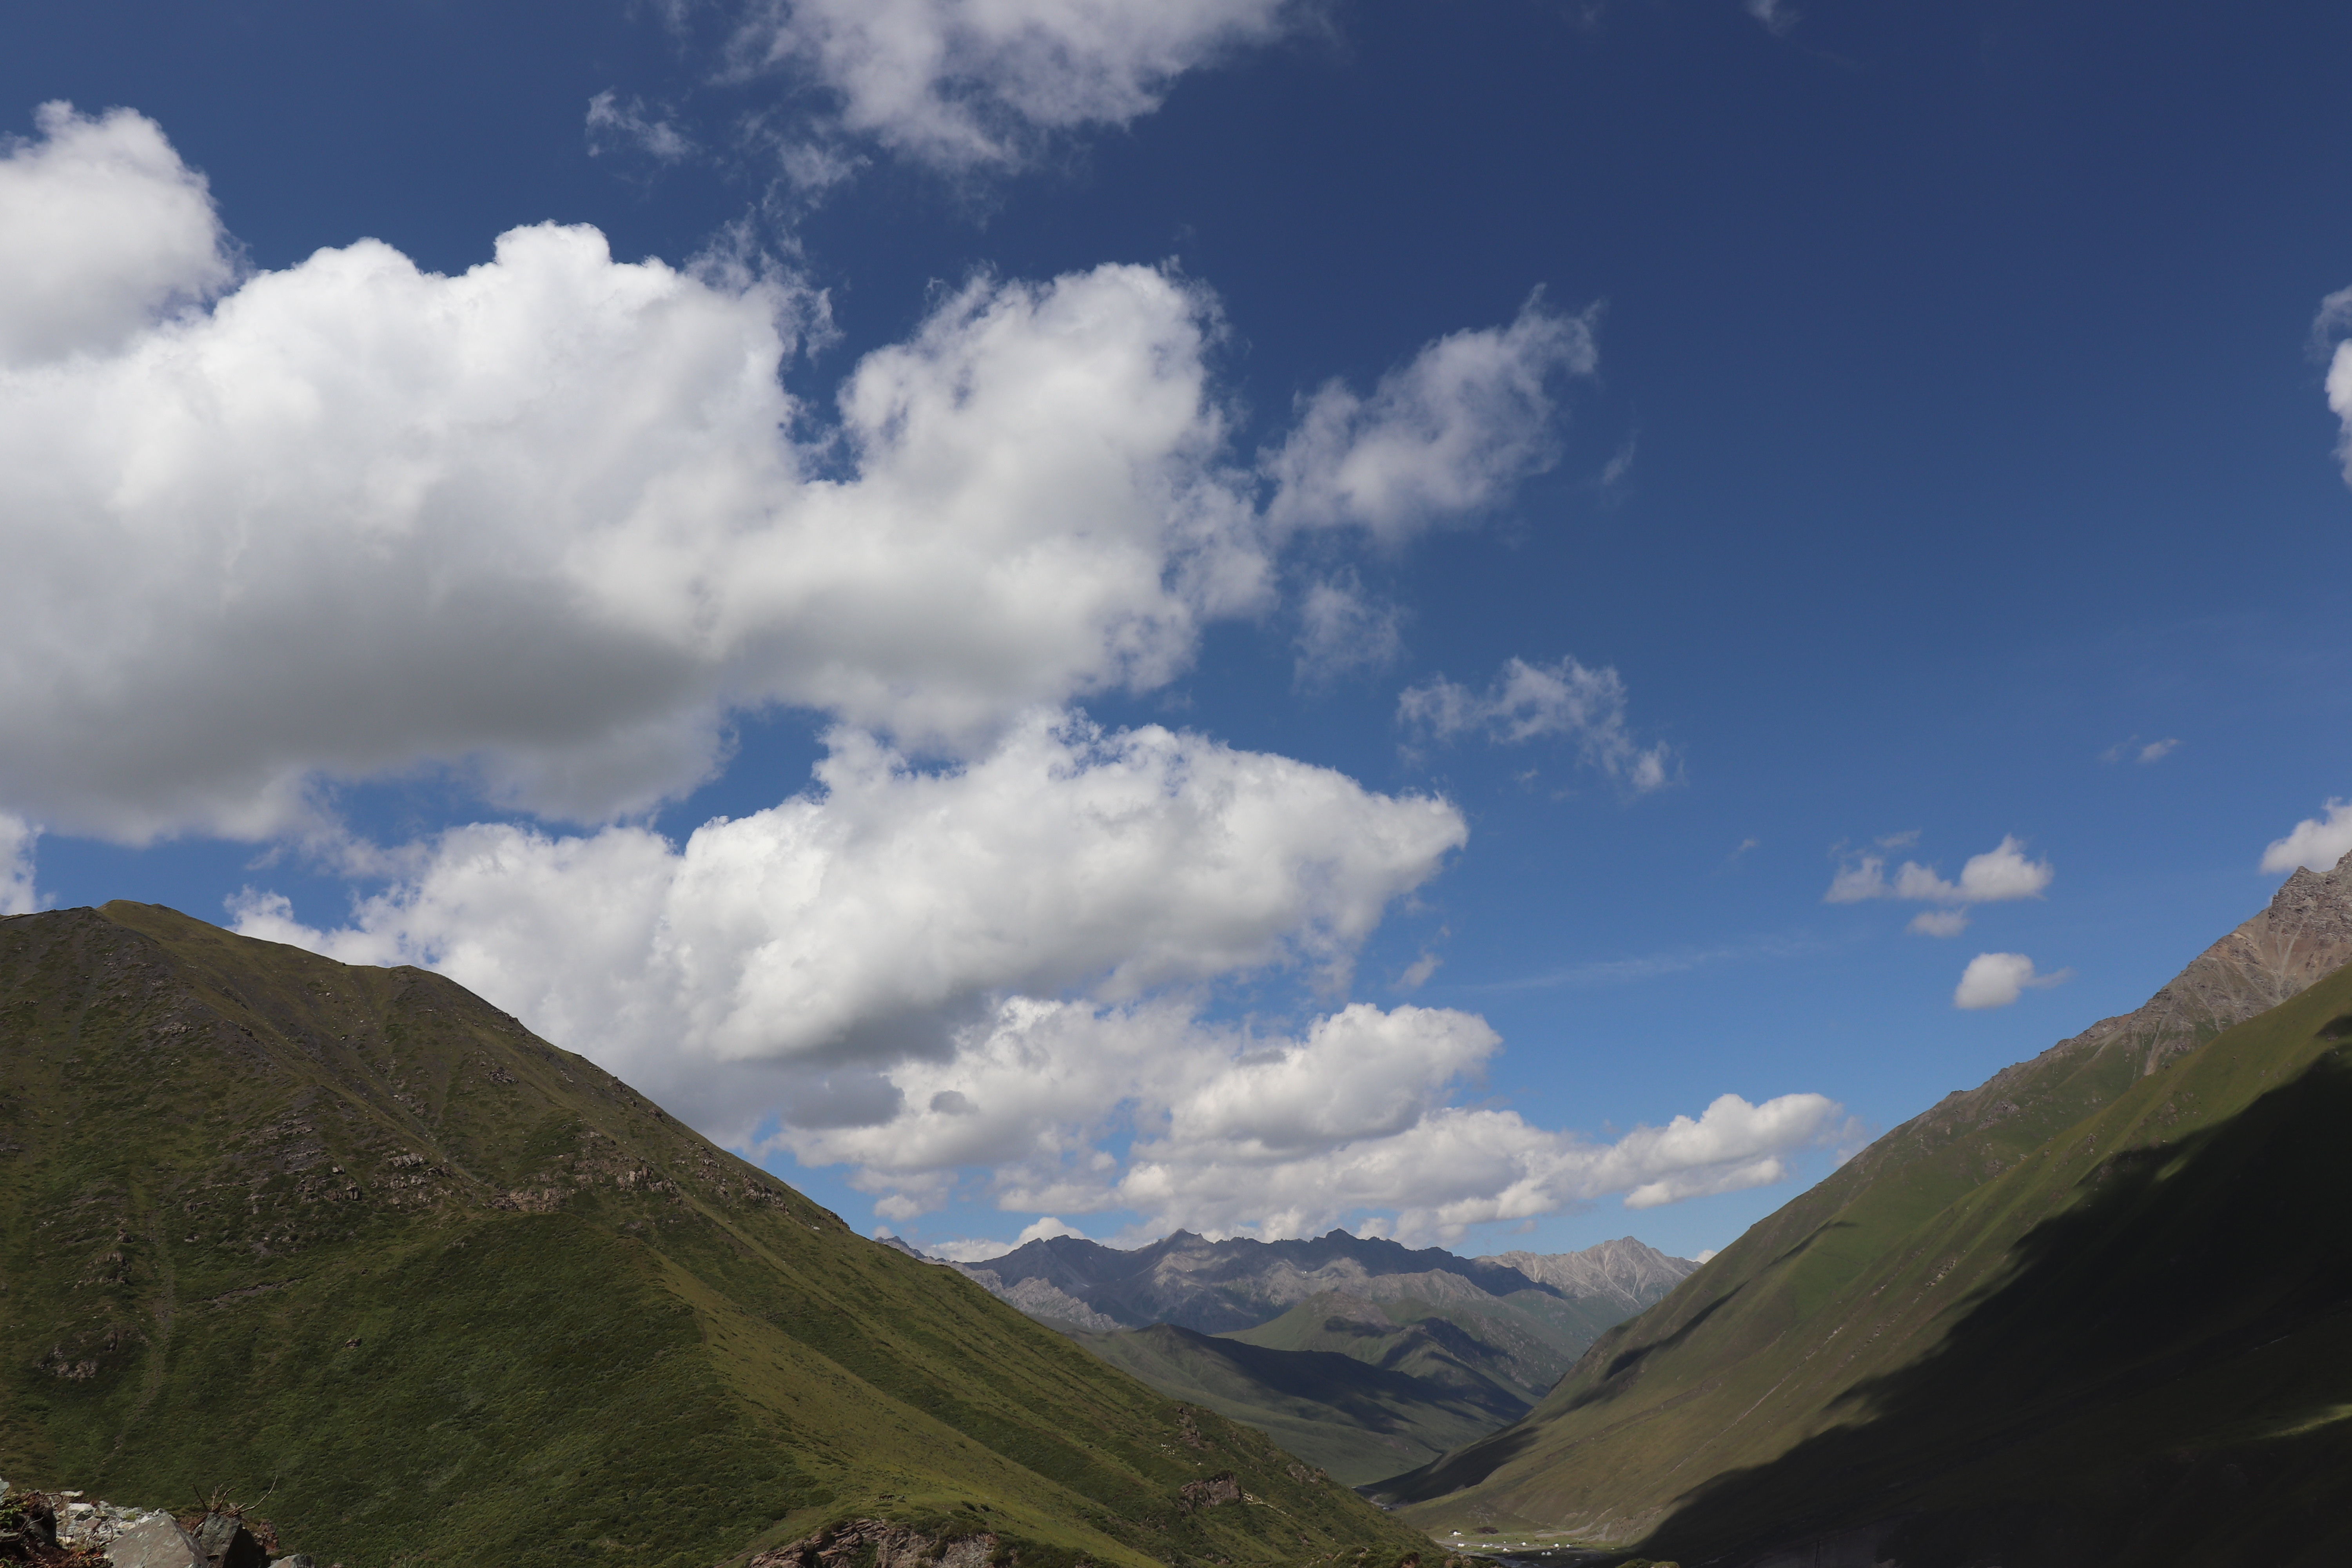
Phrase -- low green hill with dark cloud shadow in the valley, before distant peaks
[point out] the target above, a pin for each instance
(1354, 1419)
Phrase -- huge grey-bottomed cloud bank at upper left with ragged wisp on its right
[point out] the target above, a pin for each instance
(554, 521)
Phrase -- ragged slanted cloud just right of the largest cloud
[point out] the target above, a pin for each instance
(1445, 436)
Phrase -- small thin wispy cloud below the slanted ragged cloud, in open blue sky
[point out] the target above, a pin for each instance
(1535, 702)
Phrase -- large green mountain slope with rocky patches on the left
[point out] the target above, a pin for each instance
(356, 1240)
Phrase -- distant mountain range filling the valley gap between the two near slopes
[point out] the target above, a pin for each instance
(1361, 1355)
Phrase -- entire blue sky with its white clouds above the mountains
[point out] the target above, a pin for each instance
(1387, 561)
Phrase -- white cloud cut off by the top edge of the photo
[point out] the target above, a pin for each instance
(975, 83)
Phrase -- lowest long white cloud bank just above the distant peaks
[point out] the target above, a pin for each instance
(1351, 1123)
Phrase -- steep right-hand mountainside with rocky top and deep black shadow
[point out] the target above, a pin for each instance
(2092, 1313)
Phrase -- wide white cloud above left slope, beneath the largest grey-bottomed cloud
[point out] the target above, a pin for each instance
(883, 911)
